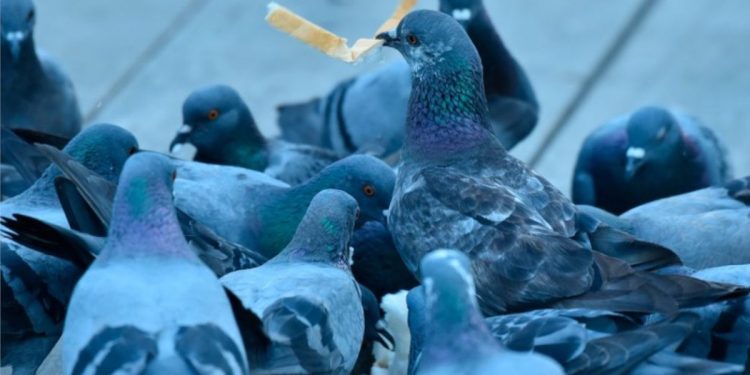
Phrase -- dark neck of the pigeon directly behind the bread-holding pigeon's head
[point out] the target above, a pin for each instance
(501, 76)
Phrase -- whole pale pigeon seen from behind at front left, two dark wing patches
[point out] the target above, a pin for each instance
(112, 326)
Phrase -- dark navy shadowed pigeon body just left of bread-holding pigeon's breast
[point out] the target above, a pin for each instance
(376, 262)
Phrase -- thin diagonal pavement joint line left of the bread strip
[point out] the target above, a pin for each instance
(178, 23)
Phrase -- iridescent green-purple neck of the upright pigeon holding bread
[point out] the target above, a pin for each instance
(448, 112)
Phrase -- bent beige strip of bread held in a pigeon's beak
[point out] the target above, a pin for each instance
(326, 41)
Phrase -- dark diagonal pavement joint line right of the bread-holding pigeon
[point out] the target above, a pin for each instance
(618, 45)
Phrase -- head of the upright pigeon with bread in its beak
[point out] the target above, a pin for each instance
(433, 42)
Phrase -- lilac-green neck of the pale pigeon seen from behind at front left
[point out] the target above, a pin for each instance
(144, 220)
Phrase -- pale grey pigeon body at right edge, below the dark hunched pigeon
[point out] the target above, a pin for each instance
(709, 227)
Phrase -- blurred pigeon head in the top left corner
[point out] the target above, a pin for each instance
(18, 18)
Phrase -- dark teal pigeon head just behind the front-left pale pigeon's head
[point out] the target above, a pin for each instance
(103, 148)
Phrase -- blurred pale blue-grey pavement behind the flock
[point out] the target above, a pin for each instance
(133, 62)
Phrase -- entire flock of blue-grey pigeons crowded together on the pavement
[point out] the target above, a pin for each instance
(295, 255)
